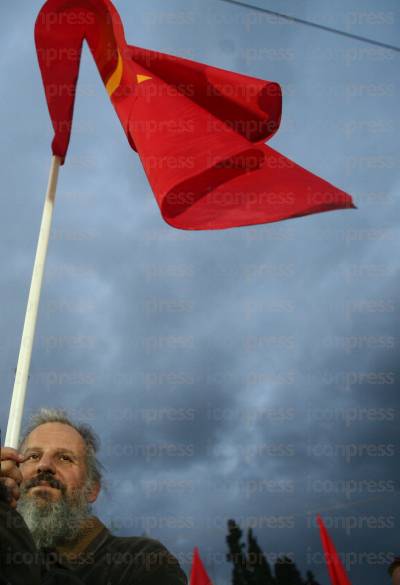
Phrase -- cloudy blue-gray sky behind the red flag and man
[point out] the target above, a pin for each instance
(250, 373)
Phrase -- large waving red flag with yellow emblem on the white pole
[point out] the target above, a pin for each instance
(199, 130)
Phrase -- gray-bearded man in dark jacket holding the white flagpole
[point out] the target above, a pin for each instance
(47, 532)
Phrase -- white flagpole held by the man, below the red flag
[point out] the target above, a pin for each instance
(28, 333)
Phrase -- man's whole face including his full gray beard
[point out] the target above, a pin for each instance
(55, 491)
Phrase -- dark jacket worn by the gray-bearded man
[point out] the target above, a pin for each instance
(99, 558)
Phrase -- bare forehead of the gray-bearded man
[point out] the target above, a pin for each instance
(55, 435)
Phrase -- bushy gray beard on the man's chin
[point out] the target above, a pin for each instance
(54, 523)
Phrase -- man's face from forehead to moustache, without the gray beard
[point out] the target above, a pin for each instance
(55, 462)
